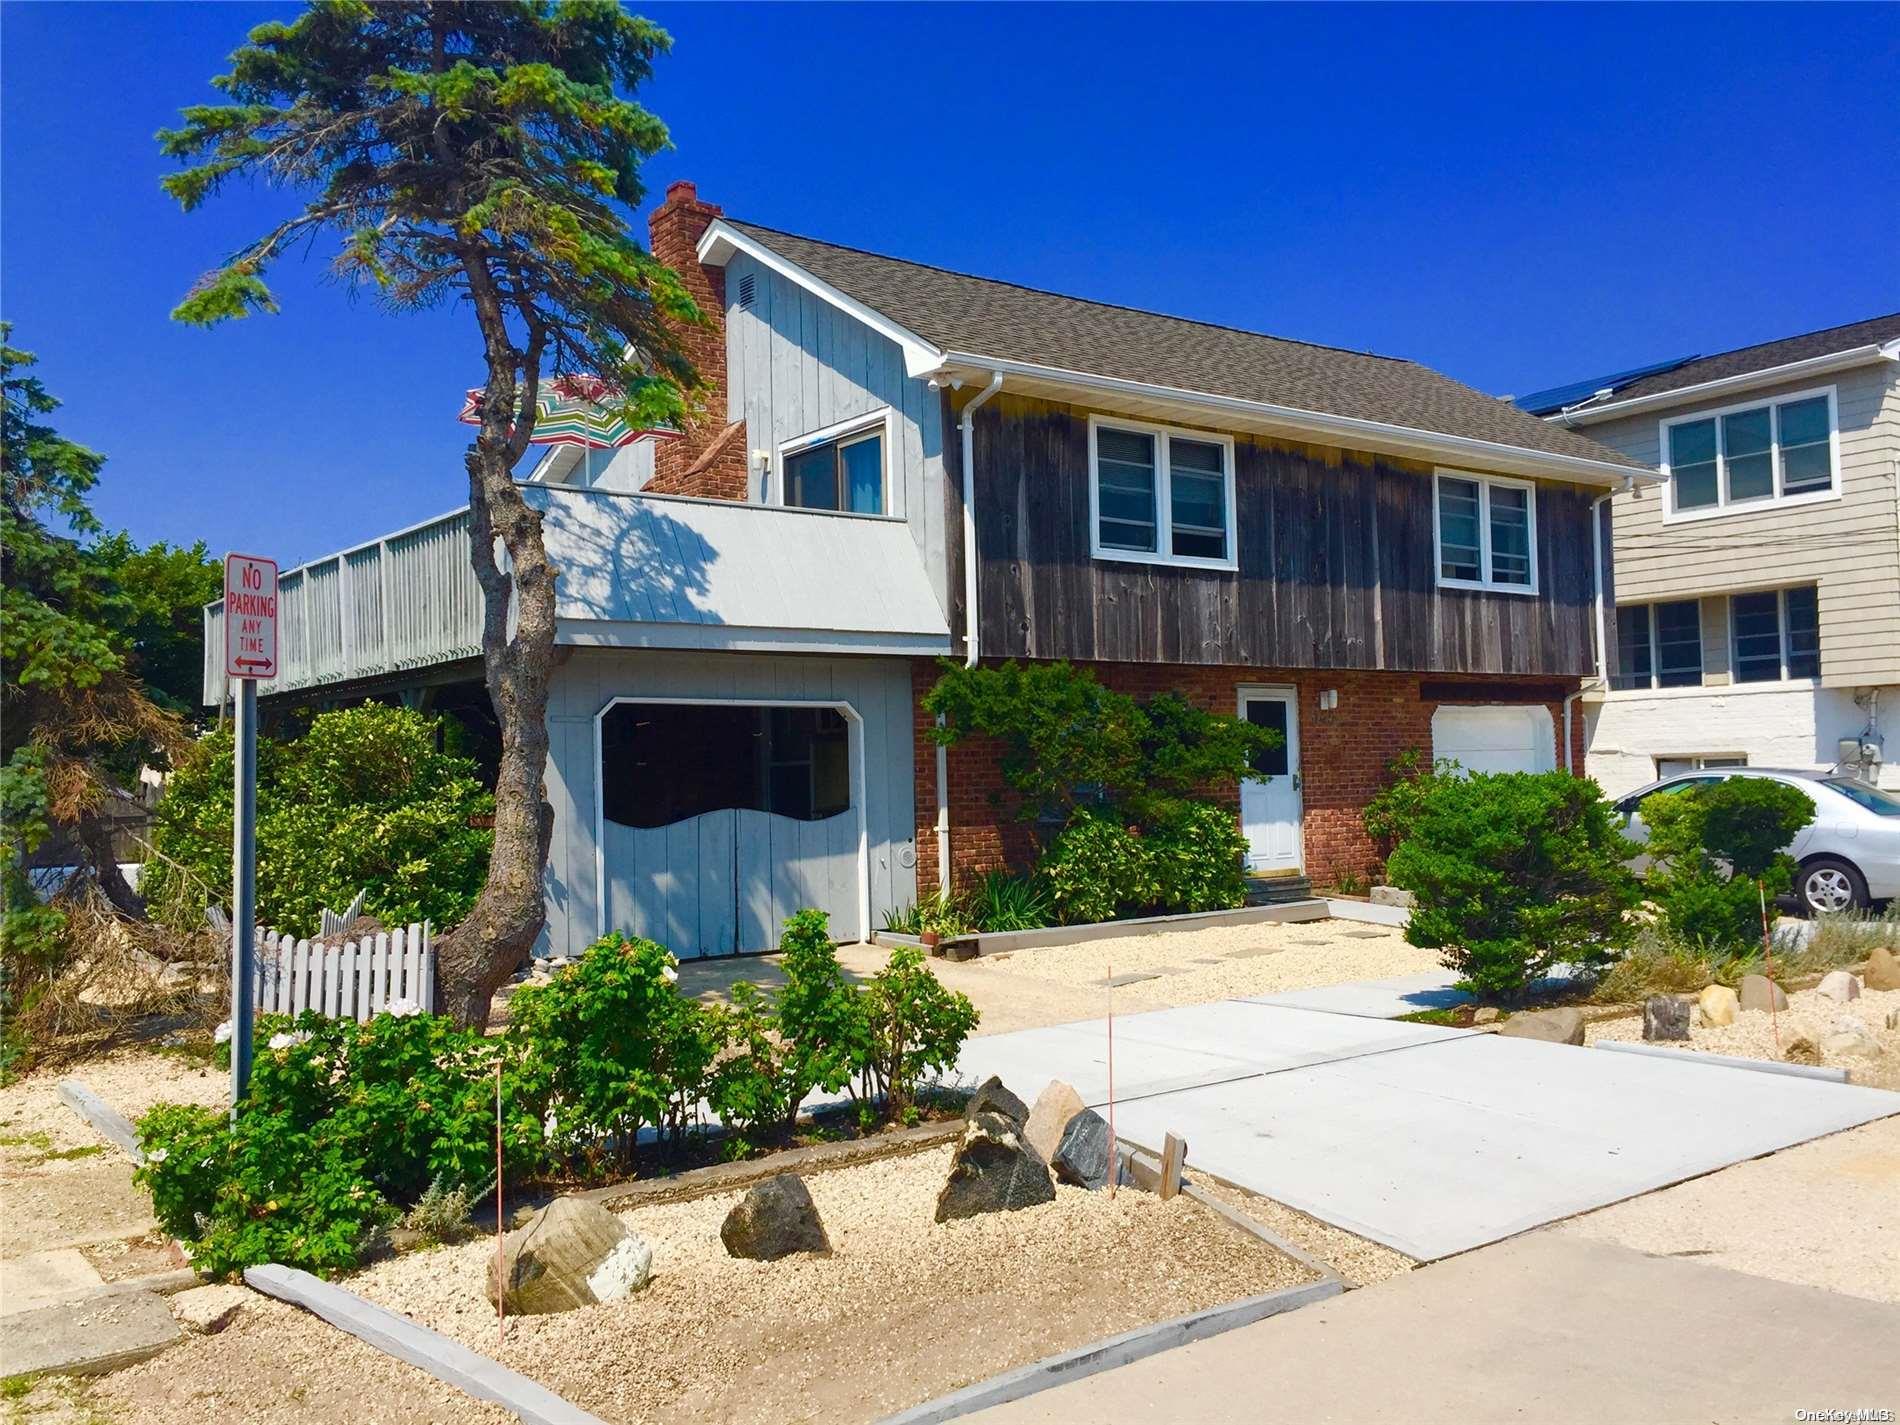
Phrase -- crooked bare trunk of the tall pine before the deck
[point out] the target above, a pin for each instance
(501, 930)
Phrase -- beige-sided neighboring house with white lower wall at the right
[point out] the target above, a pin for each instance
(1757, 592)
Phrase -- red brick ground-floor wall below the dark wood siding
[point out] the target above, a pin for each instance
(1342, 763)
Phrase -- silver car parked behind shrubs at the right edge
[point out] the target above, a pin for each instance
(1848, 856)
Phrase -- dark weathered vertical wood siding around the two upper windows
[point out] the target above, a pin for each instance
(1335, 567)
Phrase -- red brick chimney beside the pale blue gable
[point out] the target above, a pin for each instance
(712, 457)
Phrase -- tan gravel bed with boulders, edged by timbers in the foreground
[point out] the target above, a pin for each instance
(902, 1312)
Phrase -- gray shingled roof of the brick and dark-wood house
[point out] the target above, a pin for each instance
(991, 318)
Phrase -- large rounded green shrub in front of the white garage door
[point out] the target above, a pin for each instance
(1513, 875)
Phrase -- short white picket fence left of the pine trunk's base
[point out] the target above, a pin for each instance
(354, 979)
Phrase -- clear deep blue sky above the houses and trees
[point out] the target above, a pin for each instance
(1513, 197)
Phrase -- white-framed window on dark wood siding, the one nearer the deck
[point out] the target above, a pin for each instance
(1160, 495)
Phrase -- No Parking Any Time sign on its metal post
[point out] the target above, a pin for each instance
(250, 655)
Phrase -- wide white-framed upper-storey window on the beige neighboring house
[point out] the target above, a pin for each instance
(1753, 457)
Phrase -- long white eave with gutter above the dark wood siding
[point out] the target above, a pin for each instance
(1331, 428)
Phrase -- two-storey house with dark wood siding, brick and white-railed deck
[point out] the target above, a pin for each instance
(905, 465)
